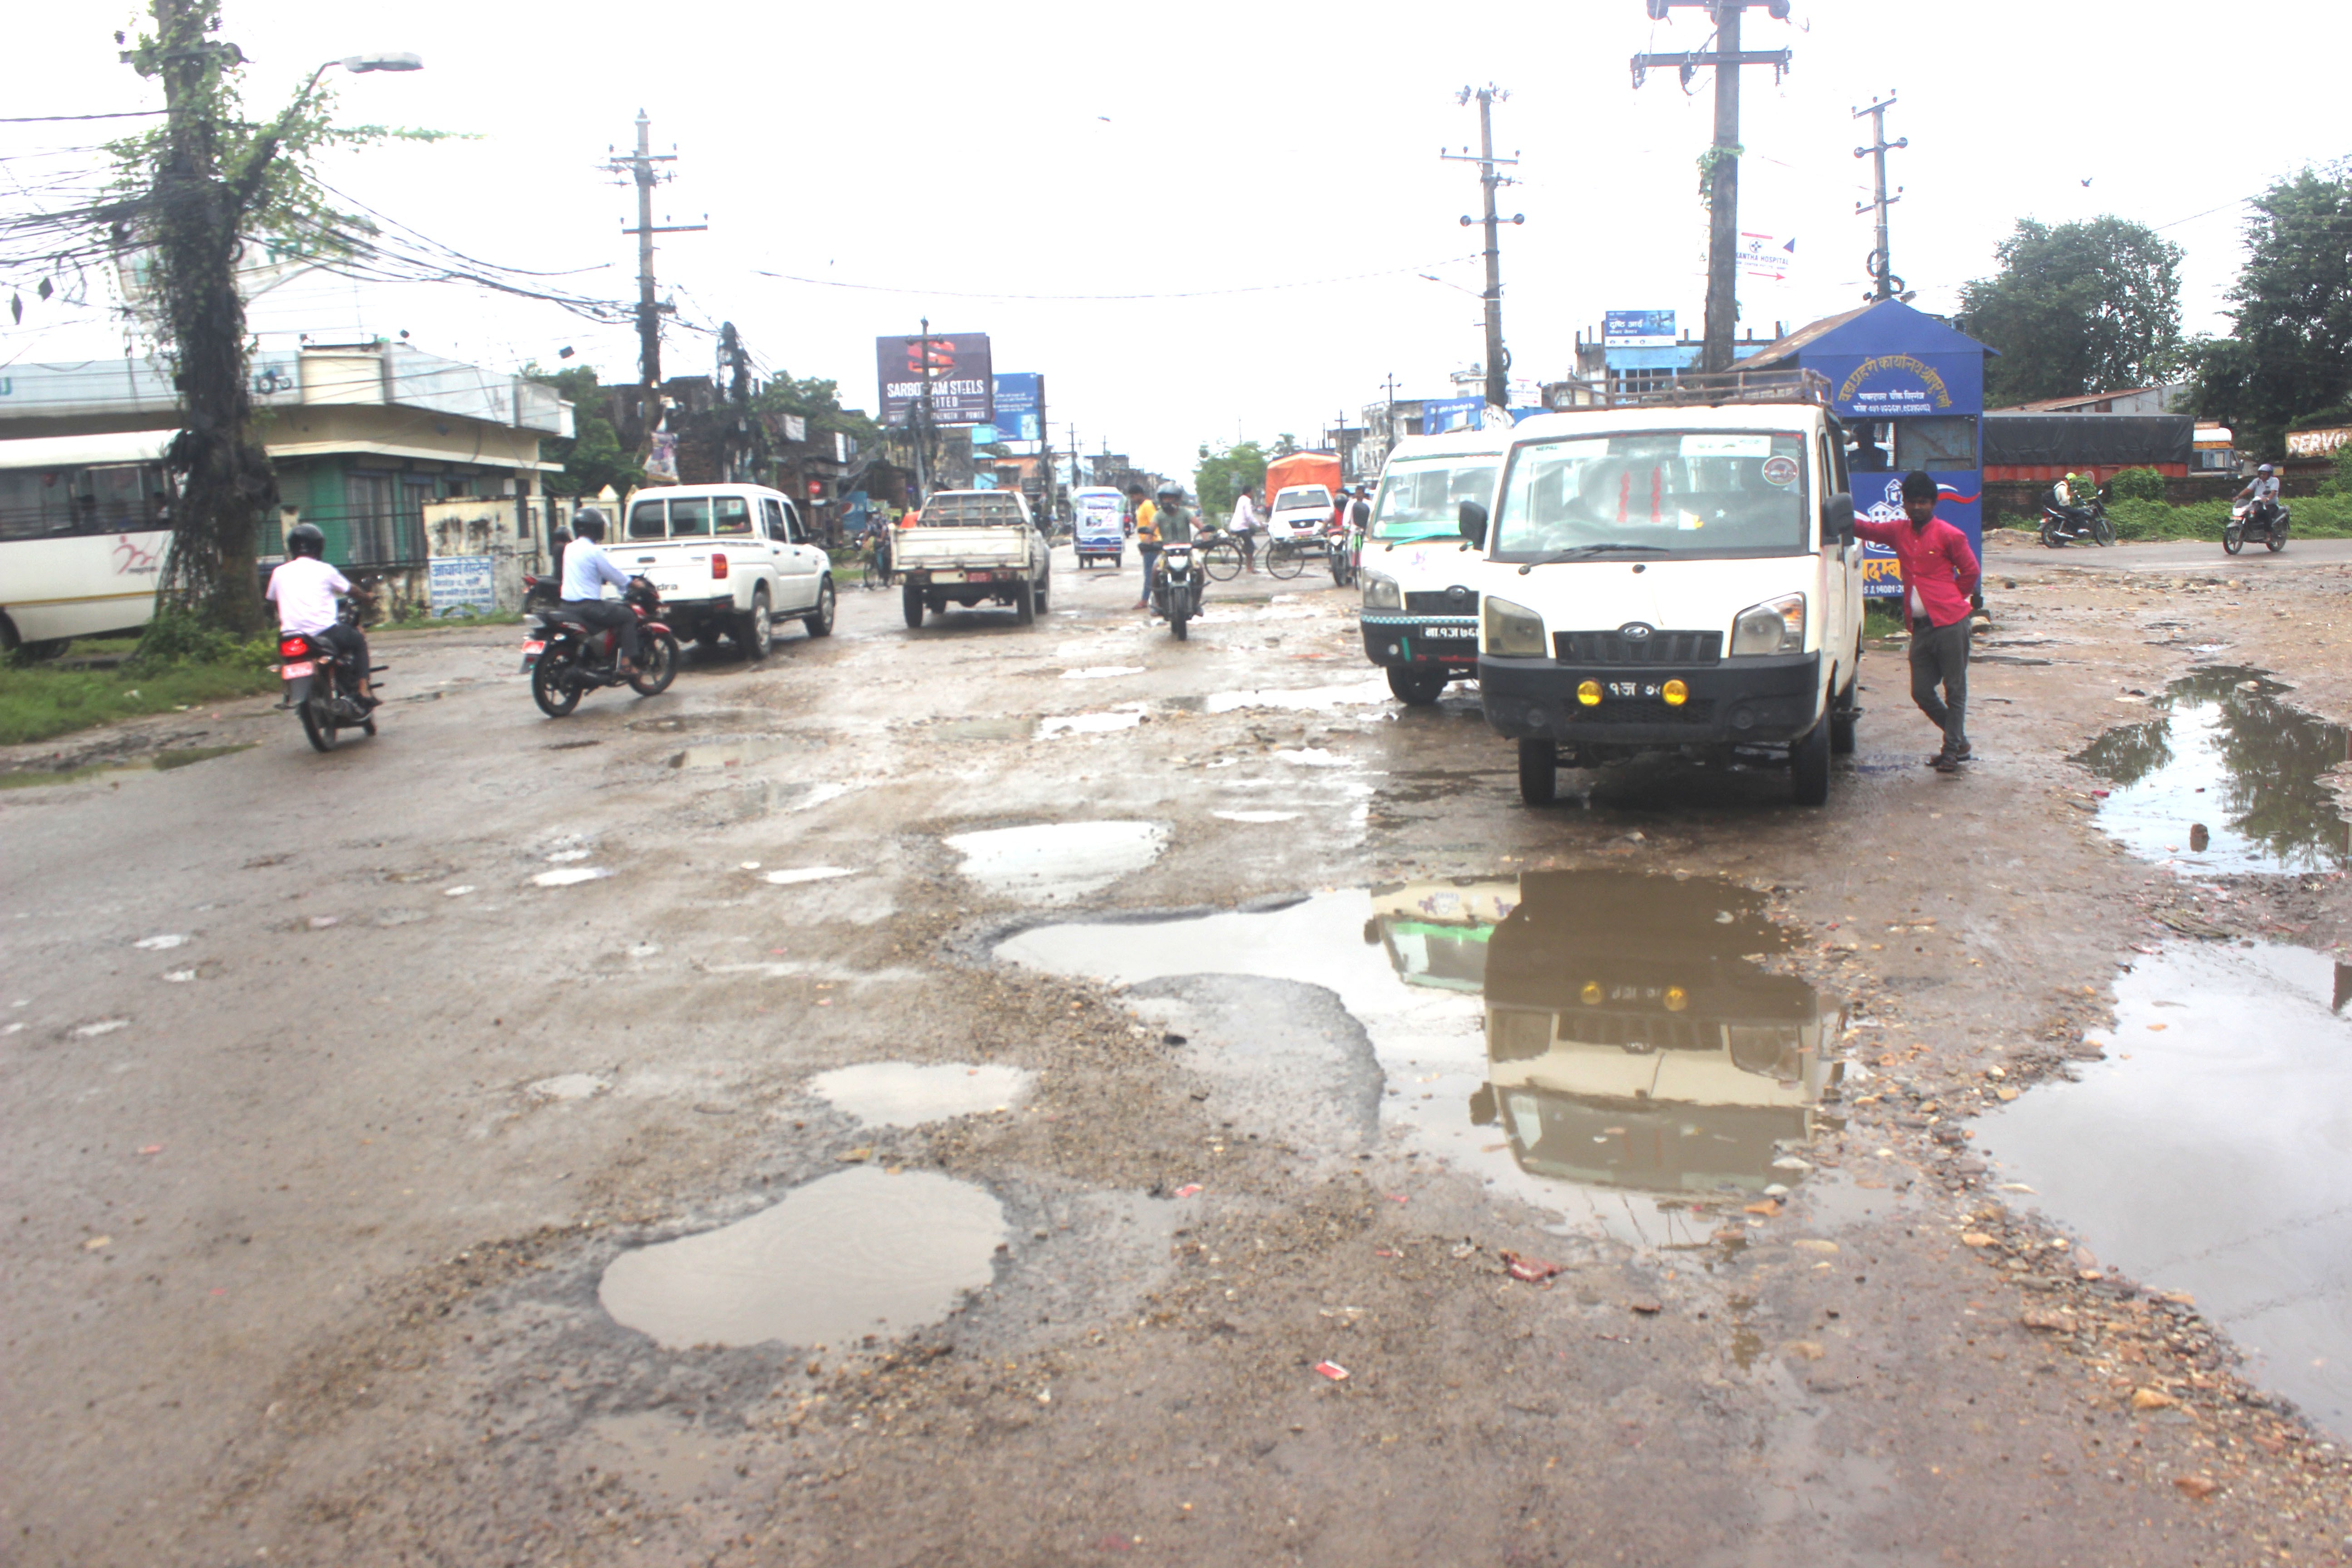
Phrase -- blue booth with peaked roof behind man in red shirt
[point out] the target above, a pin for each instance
(1911, 394)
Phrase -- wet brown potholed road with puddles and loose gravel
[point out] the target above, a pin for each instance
(1069, 1097)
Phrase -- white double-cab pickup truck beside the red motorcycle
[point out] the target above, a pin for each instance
(730, 561)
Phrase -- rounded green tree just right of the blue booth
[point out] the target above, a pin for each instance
(2078, 309)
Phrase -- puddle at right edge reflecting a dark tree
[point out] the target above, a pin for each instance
(2226, 777)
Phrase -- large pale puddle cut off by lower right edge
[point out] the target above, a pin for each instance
(2212, 1153)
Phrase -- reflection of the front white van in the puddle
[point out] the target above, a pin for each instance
(1631, 1045)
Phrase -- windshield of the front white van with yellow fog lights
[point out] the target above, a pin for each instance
(1662, 492)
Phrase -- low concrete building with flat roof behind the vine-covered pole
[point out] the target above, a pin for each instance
(363, 436)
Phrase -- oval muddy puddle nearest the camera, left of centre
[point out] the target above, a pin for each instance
(848, 1257)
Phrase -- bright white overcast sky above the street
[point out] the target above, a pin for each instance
(940, 152)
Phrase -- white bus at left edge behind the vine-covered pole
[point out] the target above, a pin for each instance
(83, 530)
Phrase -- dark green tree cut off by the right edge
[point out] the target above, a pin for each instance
(2290, 351)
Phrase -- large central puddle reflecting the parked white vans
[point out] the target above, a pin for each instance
(1582, 1038)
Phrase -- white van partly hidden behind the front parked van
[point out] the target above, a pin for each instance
(1417, 570)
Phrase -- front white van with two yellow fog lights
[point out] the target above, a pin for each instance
(1676, 577)
